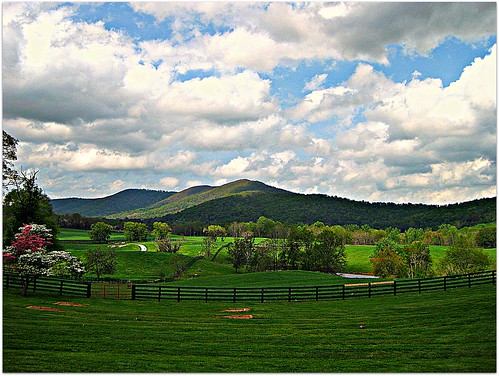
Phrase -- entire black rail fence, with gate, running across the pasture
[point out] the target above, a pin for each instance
(258, 294)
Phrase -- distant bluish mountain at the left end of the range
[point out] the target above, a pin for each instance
(128, 199)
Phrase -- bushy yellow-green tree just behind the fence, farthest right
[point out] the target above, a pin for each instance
(462, 257)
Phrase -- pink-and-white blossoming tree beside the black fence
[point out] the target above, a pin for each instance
(29, 257)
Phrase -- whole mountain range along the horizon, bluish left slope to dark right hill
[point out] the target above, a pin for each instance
(246, 200)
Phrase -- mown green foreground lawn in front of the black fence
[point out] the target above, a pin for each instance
(445, 332)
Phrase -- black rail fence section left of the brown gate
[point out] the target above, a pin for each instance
(50, 285)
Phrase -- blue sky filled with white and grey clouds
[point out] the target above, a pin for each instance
(382, 102)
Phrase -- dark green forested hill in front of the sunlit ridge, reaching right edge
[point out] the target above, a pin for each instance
(298, 208)
